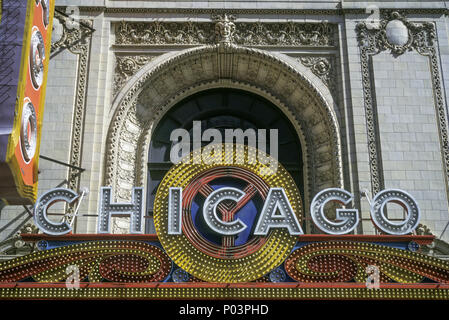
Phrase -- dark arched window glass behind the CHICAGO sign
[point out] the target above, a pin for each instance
(221, 109)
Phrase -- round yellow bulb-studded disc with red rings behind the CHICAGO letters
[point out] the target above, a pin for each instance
(218, 257)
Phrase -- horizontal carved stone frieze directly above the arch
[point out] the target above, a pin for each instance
(226, 29)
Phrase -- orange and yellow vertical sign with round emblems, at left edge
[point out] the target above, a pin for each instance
(25, 49)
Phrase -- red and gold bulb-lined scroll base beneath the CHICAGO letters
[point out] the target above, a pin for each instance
(47, 267)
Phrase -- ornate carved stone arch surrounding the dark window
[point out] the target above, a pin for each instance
(172, 77)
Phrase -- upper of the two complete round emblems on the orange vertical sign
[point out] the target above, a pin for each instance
(37, 56)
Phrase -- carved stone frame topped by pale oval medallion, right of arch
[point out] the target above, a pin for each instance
(399, 35)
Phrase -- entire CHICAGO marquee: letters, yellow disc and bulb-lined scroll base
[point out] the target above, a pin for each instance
(228, 231)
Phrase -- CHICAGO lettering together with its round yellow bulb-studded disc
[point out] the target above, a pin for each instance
(230, 223)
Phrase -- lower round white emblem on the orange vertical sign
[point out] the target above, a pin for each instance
(28, 131)
